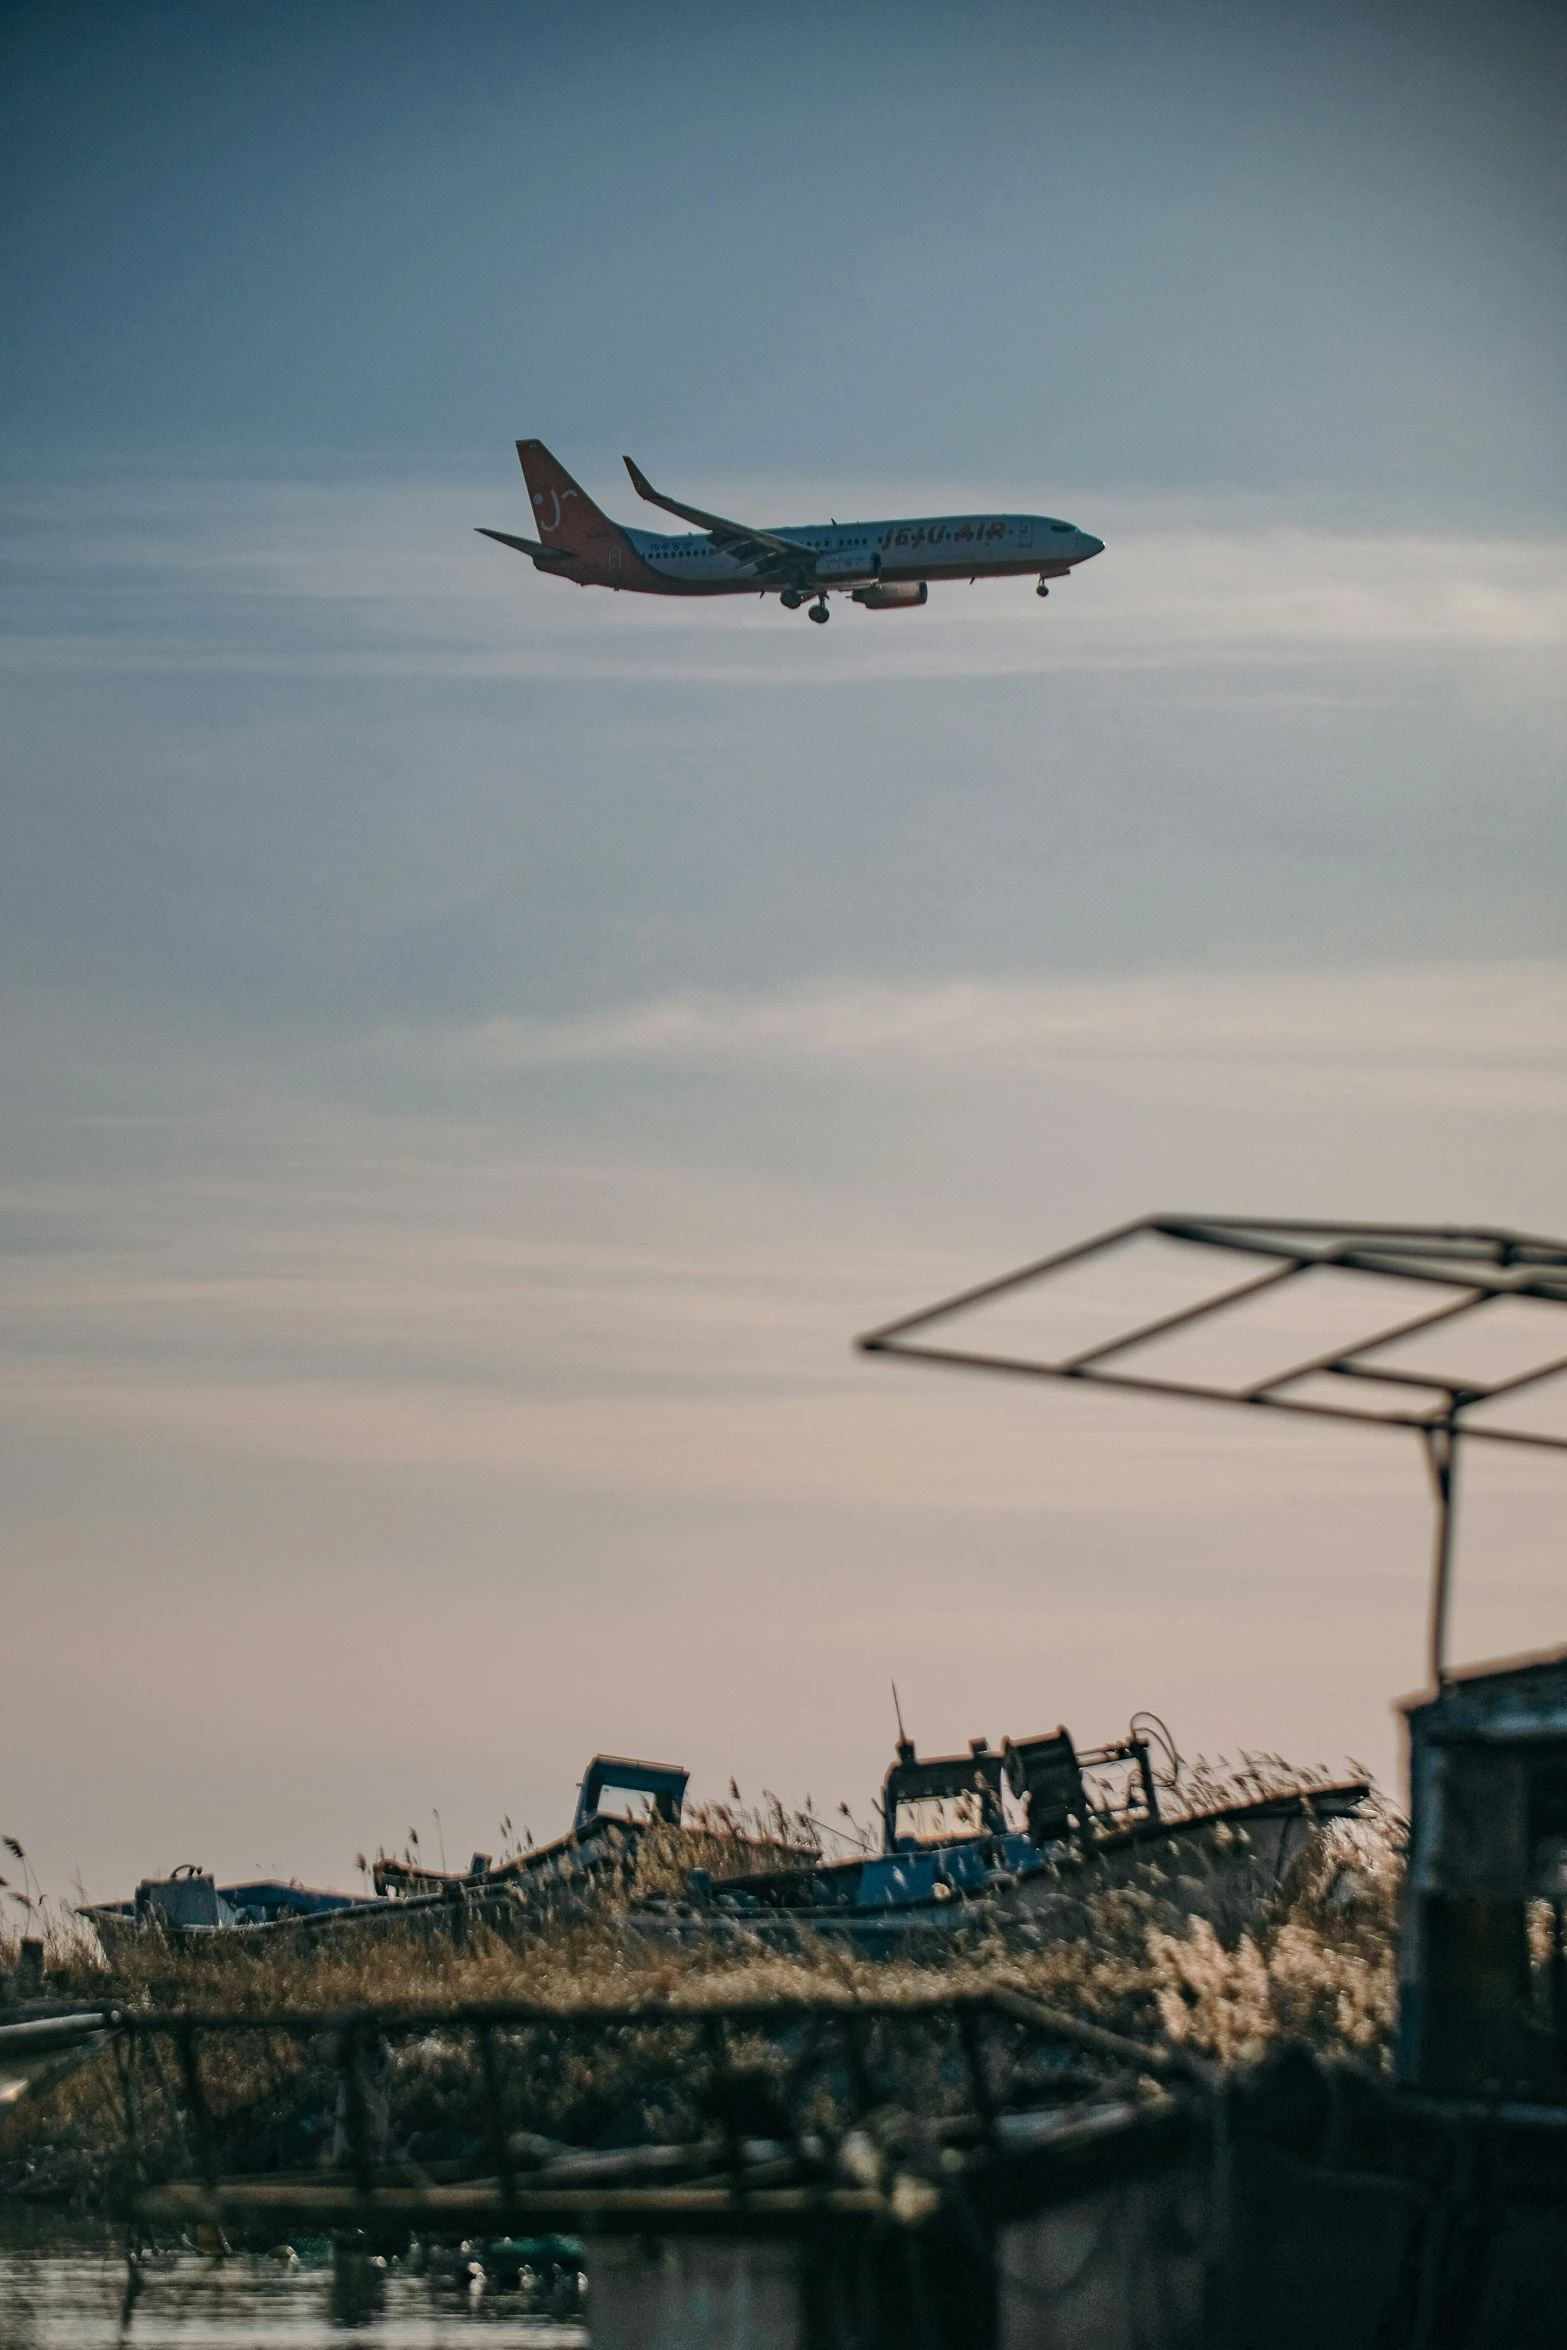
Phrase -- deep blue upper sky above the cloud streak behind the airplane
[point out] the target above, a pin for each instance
(1305, 248)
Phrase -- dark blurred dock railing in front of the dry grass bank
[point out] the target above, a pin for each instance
(835, 2123)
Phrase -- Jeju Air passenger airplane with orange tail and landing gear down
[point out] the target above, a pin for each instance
(882, 565)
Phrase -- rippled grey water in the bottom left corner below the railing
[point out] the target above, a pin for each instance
(62, 2288)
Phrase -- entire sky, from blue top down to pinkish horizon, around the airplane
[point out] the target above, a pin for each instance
(476, 1052)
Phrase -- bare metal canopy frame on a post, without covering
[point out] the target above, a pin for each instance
(1467, 1268)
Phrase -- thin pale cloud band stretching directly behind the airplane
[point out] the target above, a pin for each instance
(391, 579)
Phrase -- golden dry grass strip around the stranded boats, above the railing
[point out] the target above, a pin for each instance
(1317, 1961)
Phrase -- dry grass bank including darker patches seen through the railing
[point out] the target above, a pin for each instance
(1317, 1966)
